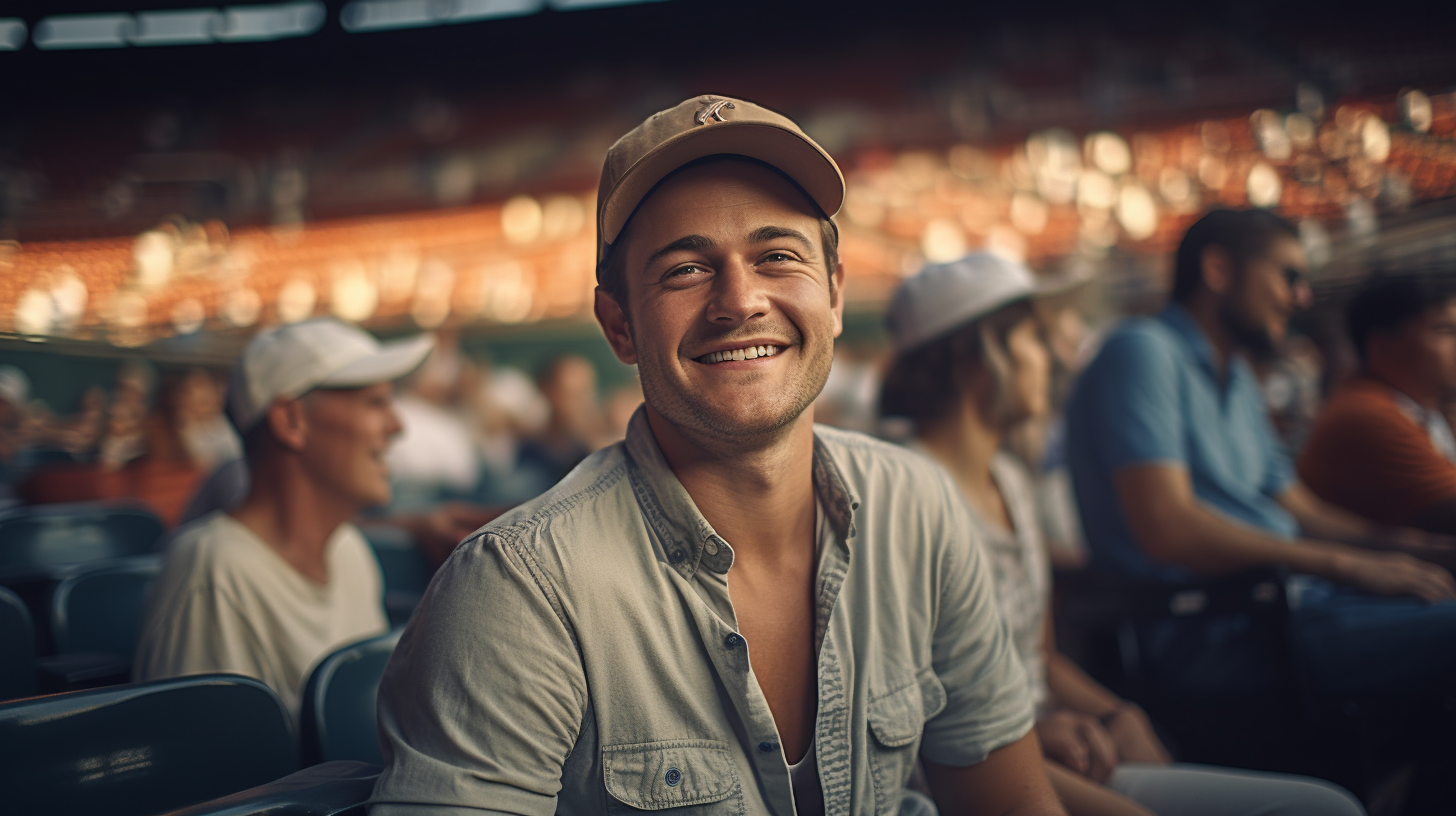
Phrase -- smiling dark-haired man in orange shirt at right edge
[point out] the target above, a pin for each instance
(1382, 448)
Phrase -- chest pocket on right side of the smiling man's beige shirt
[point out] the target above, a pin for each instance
(896, 722)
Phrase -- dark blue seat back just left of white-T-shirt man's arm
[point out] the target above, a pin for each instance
(101, 610)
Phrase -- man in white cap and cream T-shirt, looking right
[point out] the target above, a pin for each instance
(277, 582)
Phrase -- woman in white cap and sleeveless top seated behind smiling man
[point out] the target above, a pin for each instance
(970, 365)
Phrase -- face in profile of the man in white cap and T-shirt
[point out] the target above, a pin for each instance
(347, 435)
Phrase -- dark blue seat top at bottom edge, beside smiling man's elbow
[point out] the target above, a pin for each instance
(333, 789)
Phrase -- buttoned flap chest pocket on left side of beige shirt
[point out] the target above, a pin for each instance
(679, 776)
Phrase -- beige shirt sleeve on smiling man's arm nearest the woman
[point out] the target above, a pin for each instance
(988, 697)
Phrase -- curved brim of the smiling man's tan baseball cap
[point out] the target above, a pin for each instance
(794, 155)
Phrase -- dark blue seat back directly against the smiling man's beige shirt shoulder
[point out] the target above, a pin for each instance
(339, 703)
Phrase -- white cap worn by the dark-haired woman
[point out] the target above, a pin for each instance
(944, 297)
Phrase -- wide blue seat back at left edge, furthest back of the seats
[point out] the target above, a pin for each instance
(49, 537)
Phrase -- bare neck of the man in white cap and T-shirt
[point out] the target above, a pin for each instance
(293, 517)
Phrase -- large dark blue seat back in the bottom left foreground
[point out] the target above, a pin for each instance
(145, 748)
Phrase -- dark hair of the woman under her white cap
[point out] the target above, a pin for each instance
(925, 384)
